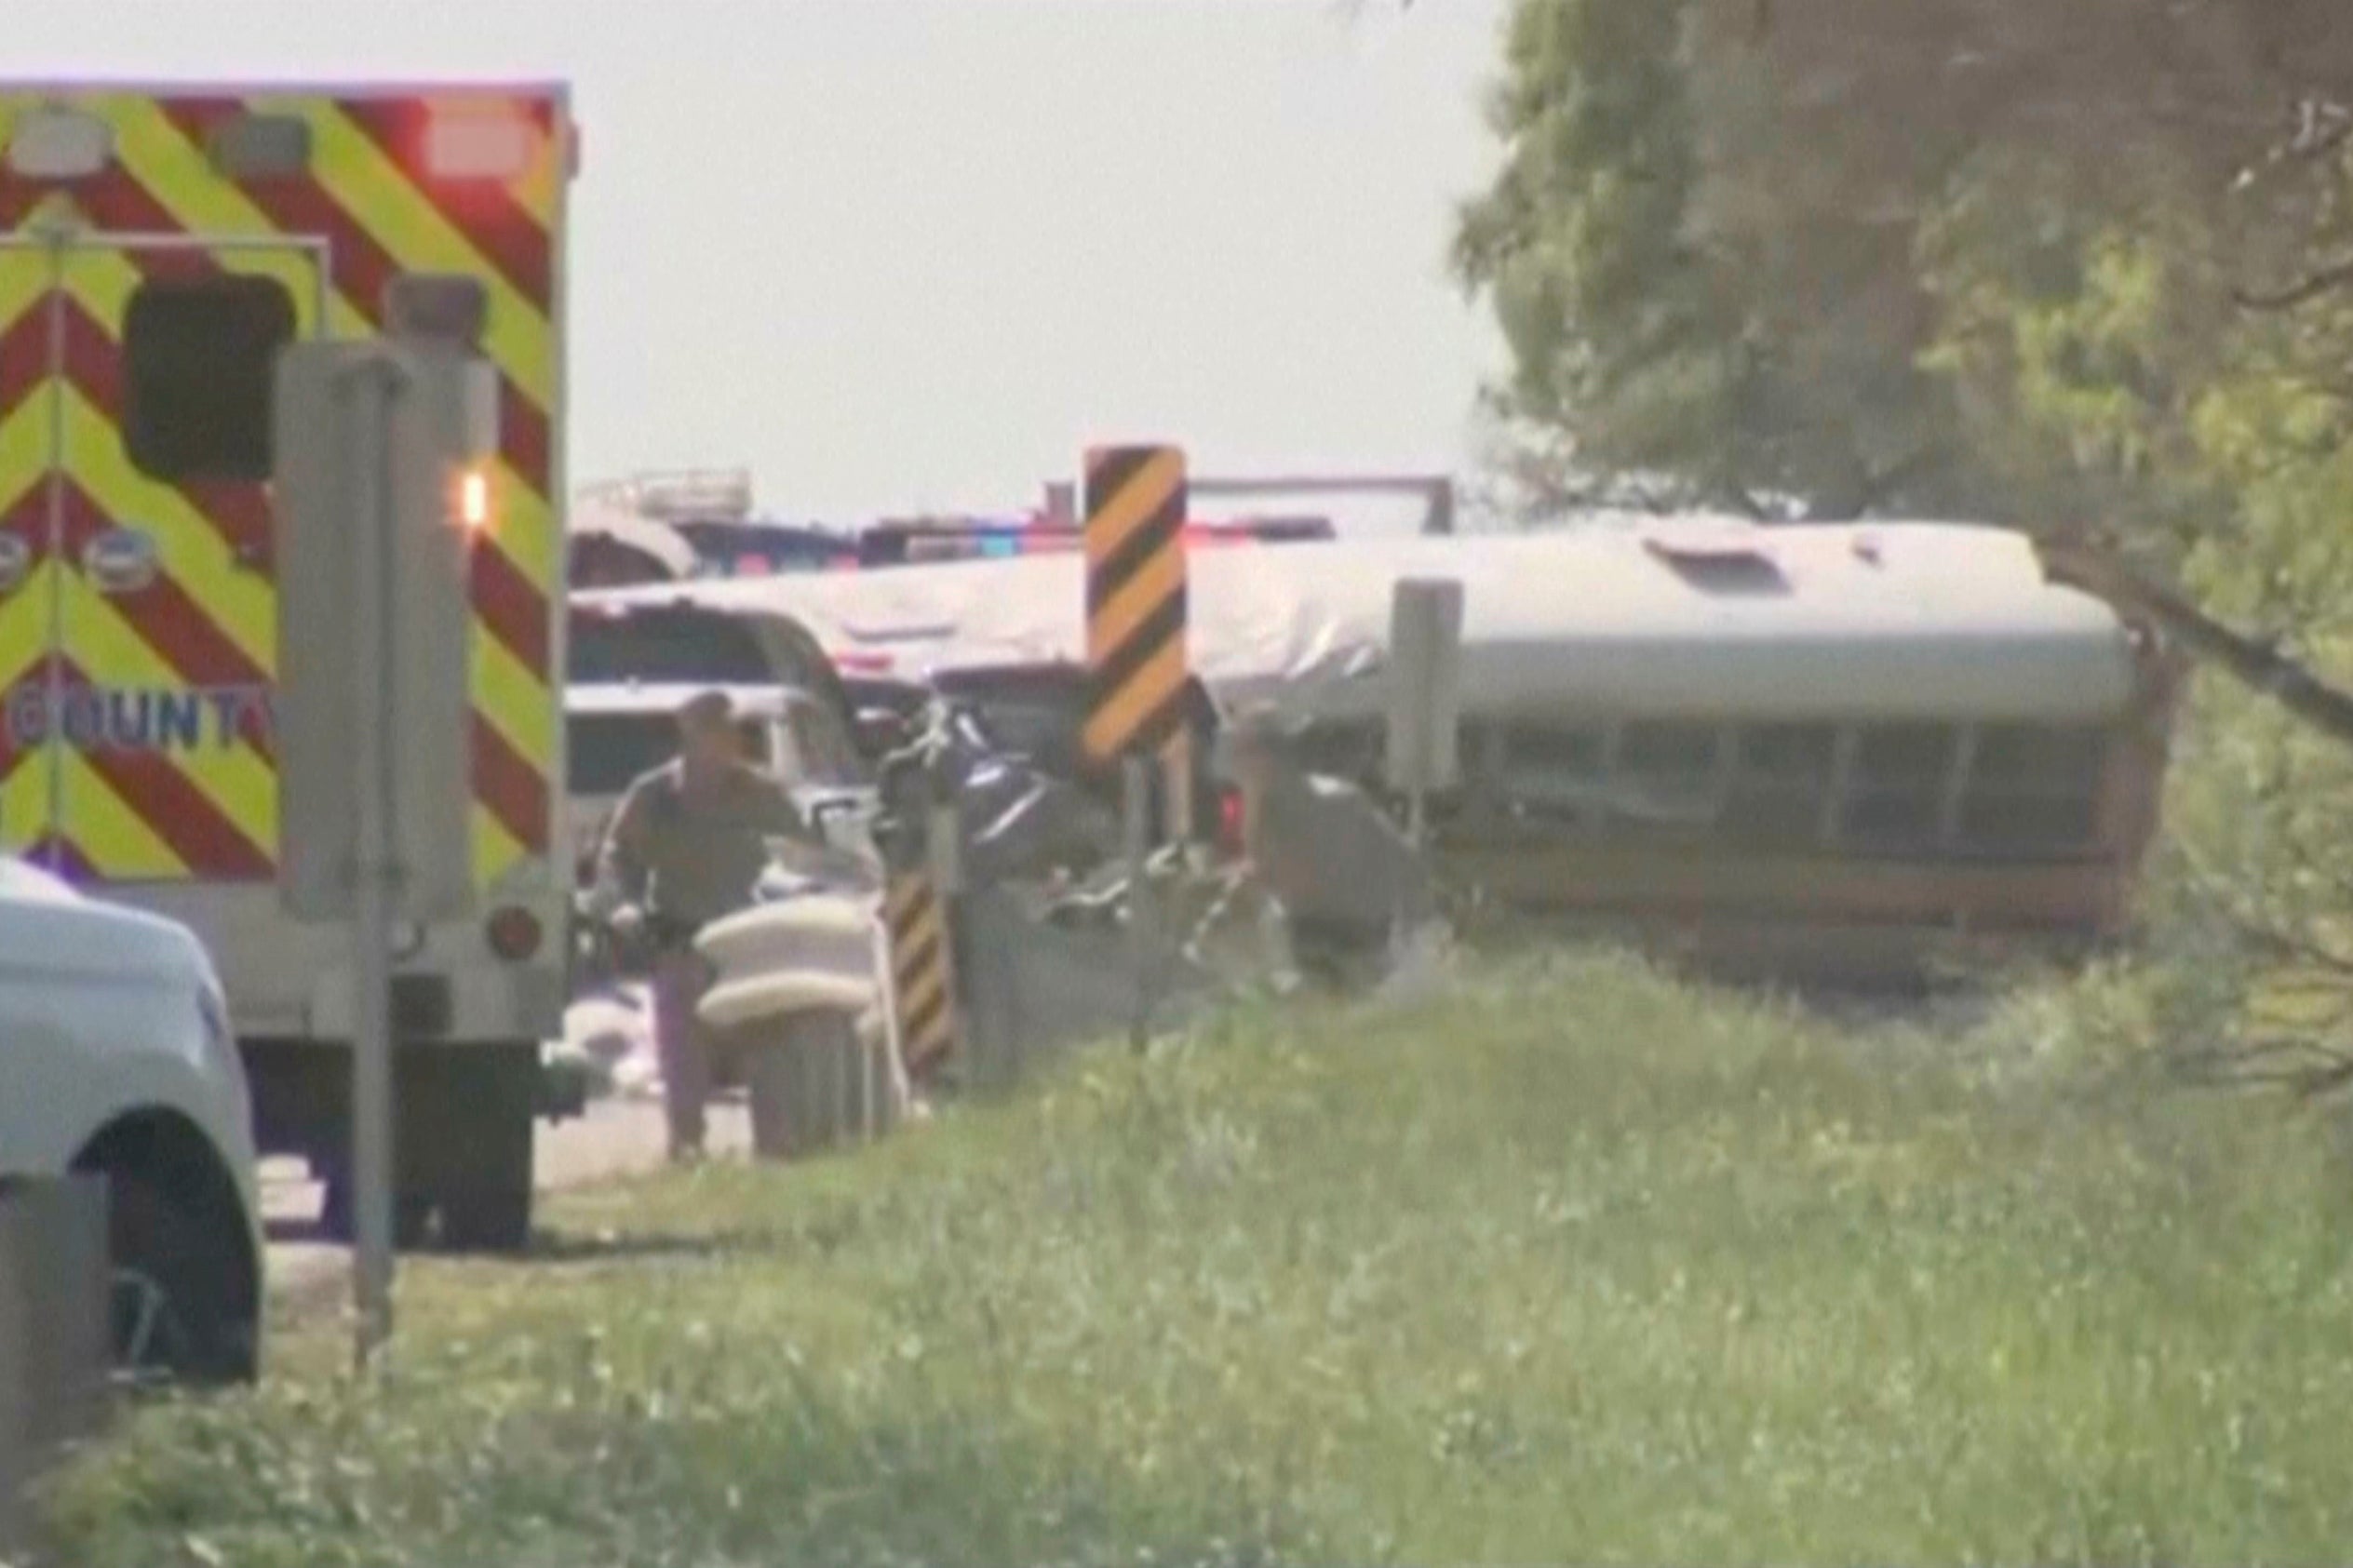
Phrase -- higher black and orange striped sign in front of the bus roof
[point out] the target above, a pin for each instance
(1135, 601)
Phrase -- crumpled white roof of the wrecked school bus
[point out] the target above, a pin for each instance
(1660, 617)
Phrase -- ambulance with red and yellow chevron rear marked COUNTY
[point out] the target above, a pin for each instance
(159, 248)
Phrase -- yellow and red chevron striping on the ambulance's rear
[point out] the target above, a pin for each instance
(371, 208)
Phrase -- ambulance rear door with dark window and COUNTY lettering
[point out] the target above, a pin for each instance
(149, 532)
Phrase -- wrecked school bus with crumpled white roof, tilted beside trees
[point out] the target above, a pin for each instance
(1794, 751)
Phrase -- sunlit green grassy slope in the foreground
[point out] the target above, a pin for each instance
(1568, 1266)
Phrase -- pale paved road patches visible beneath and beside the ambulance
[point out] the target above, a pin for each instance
(613, 1139)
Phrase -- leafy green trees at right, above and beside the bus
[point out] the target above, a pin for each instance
(2020, 260)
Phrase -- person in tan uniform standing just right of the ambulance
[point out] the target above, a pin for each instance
(684, 850)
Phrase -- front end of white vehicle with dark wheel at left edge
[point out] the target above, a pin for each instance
(116, 1059)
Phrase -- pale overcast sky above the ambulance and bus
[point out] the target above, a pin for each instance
(905, 253)
